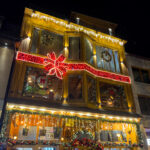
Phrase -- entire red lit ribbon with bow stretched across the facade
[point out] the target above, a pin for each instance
(56, 66)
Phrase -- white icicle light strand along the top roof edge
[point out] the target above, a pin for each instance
(77, 28)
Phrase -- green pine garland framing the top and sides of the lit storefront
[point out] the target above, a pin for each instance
(4, 138)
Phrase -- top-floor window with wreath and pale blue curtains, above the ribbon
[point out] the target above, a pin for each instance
(107, 59)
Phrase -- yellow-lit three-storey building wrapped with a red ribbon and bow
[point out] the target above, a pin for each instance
(70, 88)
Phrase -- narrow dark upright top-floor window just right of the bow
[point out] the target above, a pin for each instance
(74, 48)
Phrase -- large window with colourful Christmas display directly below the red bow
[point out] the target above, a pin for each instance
(37, 84)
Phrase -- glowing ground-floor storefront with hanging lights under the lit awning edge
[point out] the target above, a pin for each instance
(52, 129)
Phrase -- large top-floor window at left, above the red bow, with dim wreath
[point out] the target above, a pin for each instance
(44, 41)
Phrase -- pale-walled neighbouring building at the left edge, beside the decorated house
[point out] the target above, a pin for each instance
(7, 42)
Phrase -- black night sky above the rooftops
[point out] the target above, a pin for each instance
(131, 16)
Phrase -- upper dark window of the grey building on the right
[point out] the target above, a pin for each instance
(141, 75)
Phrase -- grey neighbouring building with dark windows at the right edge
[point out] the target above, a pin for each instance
(139, 71)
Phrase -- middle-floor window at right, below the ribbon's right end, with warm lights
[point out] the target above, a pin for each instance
(112, 95)
